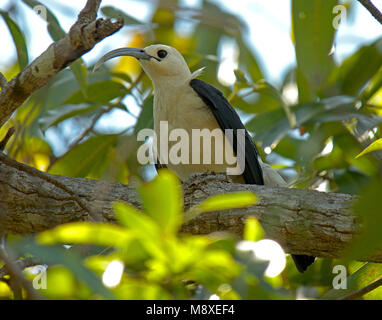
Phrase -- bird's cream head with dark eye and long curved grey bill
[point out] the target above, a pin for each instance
(161, 63)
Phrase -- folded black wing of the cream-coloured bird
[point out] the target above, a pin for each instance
(227, 118)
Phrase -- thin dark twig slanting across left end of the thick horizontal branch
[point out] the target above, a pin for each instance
(43, 176)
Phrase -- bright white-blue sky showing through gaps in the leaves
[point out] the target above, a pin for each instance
(274, 47)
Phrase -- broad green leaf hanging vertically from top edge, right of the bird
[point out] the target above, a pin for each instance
(313, 33)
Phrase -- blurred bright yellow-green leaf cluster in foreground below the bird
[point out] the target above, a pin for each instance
(158, 262)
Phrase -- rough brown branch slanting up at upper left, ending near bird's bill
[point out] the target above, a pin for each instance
(82, 37)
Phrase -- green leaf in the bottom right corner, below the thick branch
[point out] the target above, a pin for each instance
(358, 283)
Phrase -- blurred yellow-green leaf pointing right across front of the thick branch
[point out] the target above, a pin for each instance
(222, 202)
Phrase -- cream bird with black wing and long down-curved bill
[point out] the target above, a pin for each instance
(186, 102)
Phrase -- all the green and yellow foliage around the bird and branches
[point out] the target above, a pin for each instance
(316, 139)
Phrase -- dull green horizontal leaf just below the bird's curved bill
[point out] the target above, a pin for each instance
(102, 92)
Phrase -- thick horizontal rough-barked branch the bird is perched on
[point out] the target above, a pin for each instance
(302, 221)
